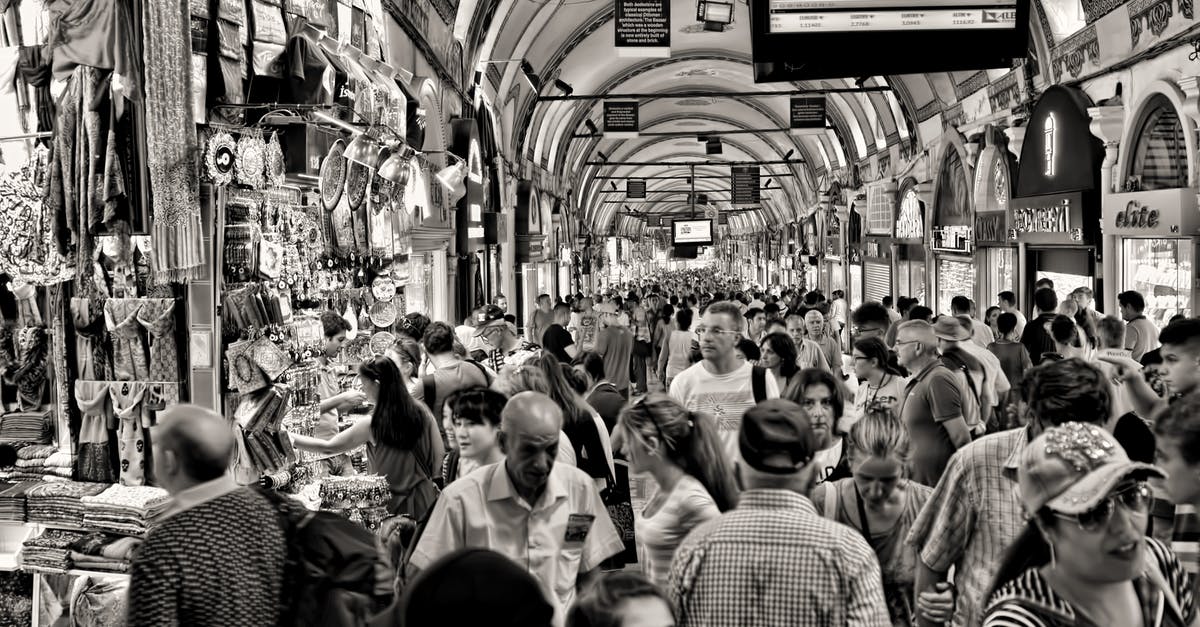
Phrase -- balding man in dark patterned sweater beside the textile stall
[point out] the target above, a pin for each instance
(220, 556)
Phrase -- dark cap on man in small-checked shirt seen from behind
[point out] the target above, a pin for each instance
(776, 438)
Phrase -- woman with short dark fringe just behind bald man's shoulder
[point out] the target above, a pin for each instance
(476, 431)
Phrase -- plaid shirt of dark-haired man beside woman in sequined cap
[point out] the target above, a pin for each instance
(973, 517)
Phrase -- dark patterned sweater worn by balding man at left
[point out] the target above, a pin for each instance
(220, 563)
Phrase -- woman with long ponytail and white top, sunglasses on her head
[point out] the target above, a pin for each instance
(685, 455)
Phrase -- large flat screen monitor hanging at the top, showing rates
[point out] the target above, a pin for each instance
(797, 40)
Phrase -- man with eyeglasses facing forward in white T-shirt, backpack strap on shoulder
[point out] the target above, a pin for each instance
(721, 385)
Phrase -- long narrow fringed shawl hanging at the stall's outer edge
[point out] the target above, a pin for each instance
(171, 141)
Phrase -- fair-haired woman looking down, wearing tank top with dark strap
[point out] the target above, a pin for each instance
(880, 503)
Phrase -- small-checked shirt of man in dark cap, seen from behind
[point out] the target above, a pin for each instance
(775, 562)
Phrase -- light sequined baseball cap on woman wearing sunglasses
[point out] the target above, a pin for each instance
(1072, 468)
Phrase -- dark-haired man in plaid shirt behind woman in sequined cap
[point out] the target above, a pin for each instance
(975, 515)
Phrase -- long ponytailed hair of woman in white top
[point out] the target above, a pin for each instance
(691, 441)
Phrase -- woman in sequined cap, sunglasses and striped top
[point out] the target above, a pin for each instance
(1084, 559)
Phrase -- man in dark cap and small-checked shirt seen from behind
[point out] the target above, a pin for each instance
(773, 558)
